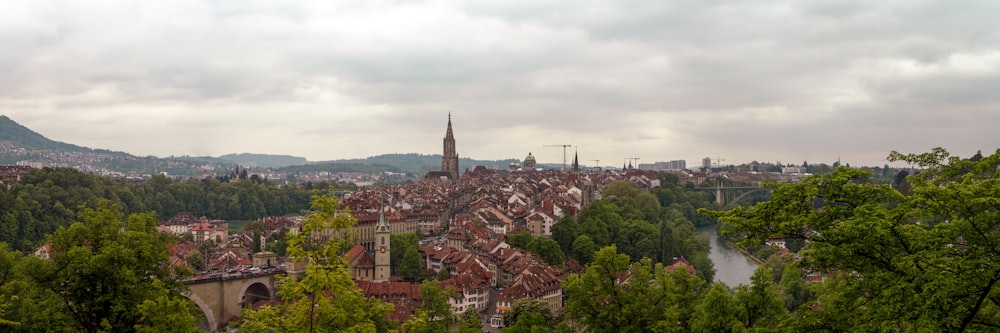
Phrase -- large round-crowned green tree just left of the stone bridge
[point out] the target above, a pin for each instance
(110, 274)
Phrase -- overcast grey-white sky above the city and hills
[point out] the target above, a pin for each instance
(768, 81)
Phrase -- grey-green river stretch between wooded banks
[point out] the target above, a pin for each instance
(731, 266)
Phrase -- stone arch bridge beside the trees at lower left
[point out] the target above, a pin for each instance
(221, 296)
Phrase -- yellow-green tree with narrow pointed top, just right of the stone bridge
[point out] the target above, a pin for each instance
(325, 299)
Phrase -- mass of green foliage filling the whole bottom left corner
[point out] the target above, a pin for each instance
(107, 273)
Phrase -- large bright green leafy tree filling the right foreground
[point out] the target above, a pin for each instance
(924, 261)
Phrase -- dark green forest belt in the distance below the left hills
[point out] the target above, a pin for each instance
(45, 198)
